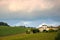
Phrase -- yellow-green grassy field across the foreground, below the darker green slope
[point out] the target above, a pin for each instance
(36, 36)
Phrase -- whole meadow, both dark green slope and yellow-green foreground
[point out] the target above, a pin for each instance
(18, 33)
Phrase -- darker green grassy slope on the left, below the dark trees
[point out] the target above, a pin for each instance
(4, 30)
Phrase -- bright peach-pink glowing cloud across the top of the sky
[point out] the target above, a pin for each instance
(27, 5)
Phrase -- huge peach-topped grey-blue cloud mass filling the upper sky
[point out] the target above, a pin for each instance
(30, 9)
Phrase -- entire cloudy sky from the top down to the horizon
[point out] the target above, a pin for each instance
(30, 12)
